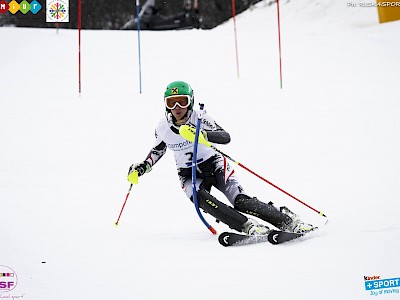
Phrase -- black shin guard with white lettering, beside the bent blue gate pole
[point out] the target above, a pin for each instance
(221, 211)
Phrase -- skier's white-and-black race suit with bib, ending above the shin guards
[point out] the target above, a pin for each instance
(210, 164)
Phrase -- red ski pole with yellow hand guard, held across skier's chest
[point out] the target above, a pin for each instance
(188, 133)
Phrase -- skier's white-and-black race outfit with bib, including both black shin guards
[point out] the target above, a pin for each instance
(212, 170)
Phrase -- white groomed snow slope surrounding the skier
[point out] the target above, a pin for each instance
(330, 137)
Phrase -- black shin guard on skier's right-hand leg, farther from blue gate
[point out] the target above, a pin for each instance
(266, 212)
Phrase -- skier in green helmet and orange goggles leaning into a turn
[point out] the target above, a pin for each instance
(213, 169)
